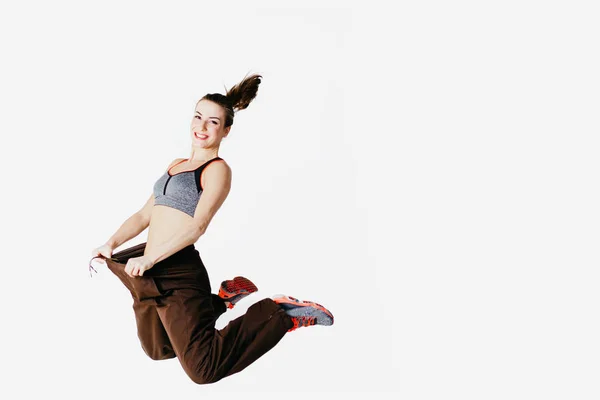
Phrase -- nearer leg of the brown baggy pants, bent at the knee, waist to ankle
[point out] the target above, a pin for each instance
(188, 315)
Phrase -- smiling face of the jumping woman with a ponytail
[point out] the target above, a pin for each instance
(207, 128)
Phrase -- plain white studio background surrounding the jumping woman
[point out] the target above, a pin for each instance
(429, 173)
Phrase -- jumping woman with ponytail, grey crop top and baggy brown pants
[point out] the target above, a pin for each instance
(174, 309)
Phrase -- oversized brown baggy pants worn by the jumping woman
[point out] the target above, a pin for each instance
(176, 312)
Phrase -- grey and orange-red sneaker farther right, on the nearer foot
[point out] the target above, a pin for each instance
(303, 313)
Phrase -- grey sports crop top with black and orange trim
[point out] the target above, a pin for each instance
(180, 191)
